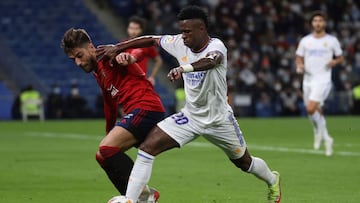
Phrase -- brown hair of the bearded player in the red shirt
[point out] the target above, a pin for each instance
(74, 38)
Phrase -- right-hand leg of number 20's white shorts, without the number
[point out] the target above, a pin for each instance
(228, 137)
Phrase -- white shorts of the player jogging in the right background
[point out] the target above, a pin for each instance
(316, 92)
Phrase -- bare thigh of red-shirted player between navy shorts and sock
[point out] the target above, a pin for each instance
(119, 137)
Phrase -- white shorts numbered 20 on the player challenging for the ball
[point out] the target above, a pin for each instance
(226, 135)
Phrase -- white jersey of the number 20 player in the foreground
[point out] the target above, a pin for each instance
(206, 91)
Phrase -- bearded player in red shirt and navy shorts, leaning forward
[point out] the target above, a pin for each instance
(122, 84)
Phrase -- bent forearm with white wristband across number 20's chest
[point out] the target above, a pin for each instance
(211, 60)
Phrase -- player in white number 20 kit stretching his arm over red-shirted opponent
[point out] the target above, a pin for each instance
(203, 66)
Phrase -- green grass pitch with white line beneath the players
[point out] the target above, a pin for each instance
(54, 162)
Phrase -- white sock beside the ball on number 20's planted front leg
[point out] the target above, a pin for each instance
(140, 175)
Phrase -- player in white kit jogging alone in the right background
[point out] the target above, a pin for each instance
(316, 55)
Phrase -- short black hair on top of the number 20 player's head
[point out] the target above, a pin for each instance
(193, 12)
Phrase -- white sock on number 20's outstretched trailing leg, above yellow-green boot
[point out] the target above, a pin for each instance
(259, 168)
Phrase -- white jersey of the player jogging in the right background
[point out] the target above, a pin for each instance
(317, 53)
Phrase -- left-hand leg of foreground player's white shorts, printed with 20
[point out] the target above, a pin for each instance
(179, 127)
